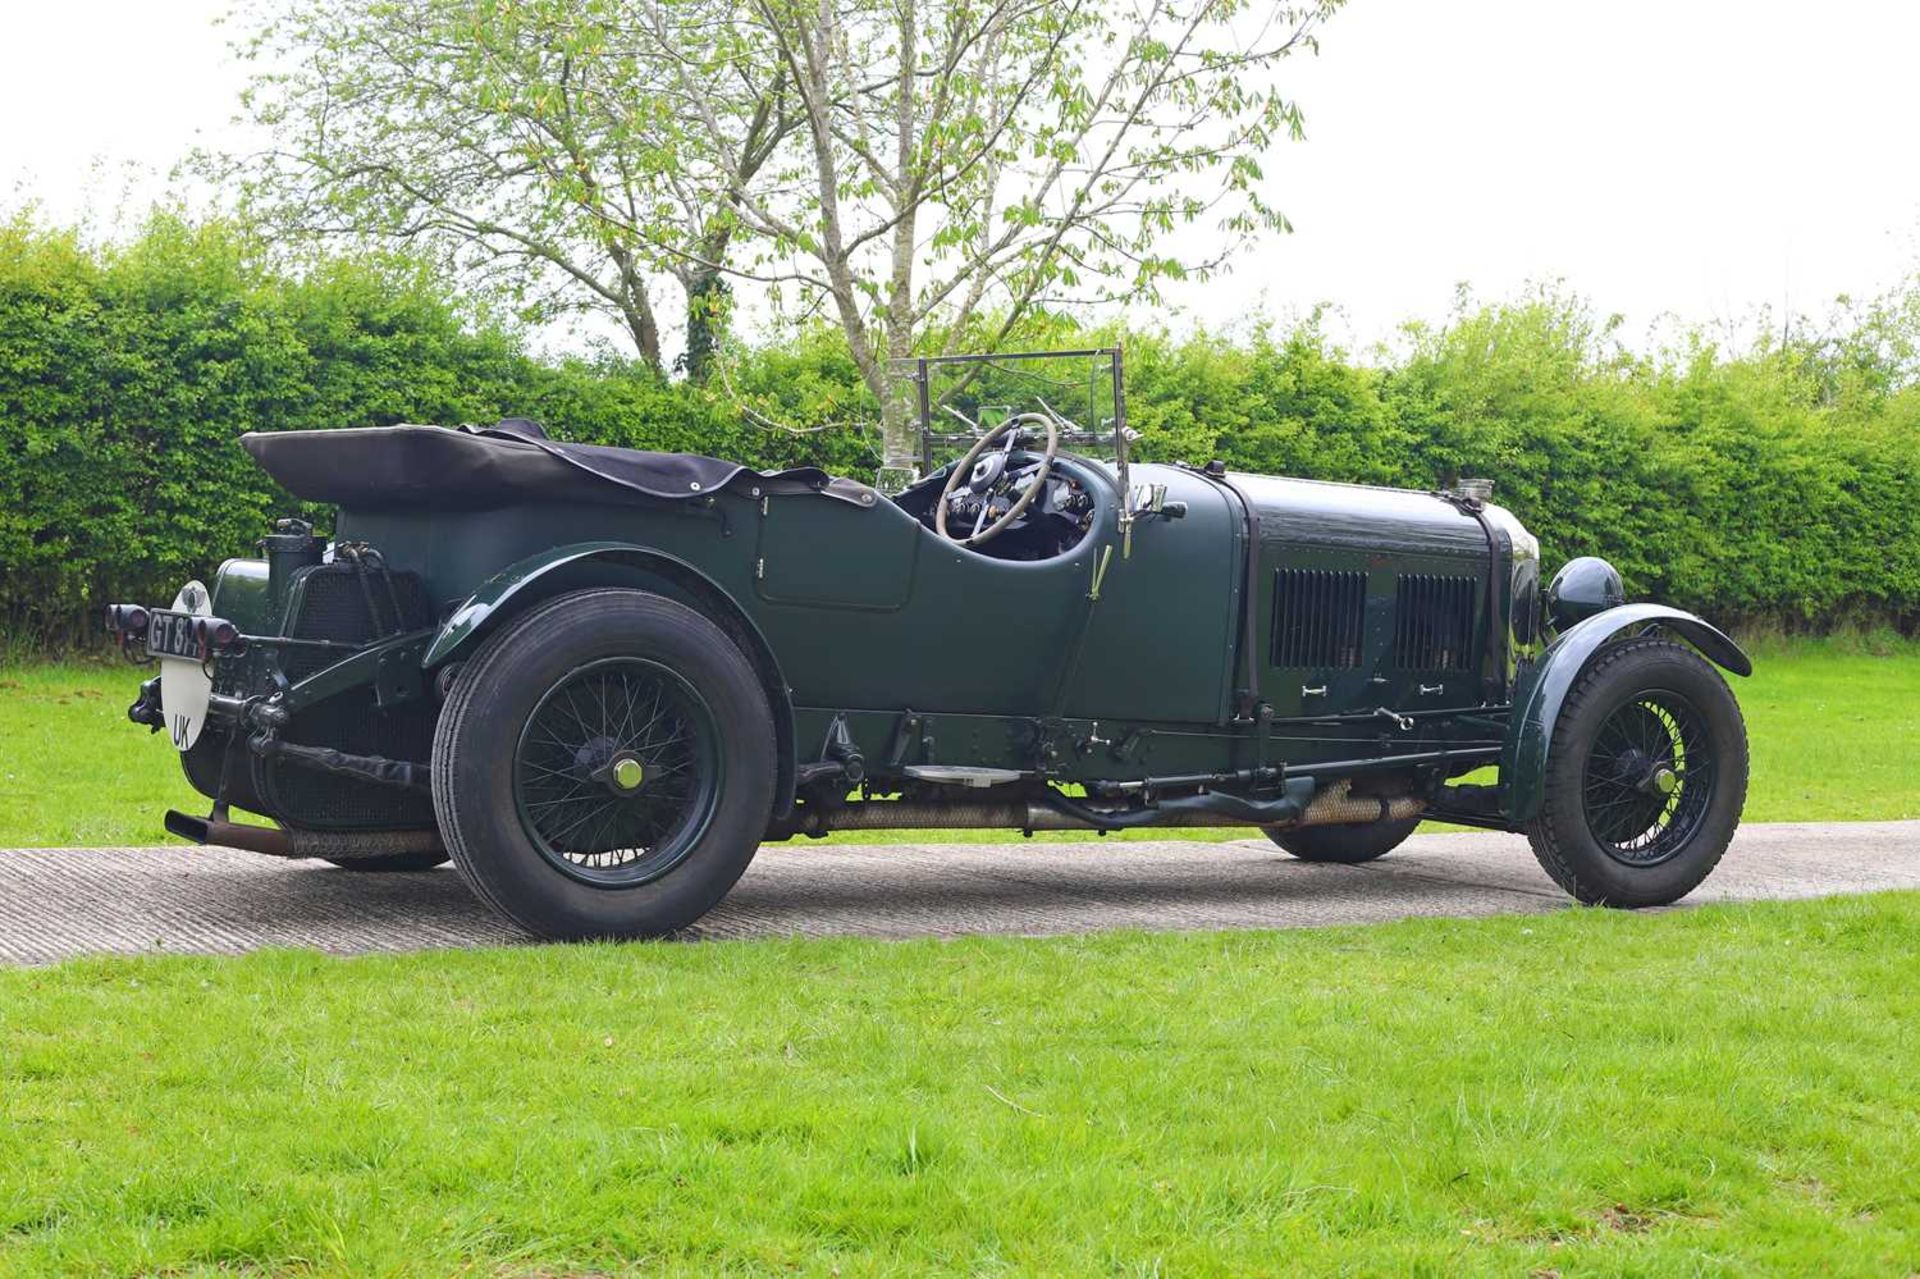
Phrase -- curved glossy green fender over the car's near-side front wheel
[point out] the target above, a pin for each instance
(1543, 692)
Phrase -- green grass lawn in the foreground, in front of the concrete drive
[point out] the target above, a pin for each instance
(1721, 1092)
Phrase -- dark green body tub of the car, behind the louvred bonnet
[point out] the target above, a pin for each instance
(871, 610)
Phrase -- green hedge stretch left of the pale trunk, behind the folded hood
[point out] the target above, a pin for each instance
(128, 375)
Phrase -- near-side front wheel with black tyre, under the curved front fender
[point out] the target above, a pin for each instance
(1646, 777)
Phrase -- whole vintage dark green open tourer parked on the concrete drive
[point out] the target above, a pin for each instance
(600, 679)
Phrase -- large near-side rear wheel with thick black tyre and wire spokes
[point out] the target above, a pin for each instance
(604, 767)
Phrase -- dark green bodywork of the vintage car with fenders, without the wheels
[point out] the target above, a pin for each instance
(1207, 648)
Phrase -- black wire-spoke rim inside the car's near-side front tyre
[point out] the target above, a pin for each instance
(1648, 779)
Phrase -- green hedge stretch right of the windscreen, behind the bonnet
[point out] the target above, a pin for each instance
(1742, 487)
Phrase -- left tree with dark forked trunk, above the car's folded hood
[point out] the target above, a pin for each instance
(540, 147)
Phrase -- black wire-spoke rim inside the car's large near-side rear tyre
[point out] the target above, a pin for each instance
(617, 771)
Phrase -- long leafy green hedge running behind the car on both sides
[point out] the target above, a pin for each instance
(1773, 483)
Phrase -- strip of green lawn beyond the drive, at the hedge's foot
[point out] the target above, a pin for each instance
(1836, 736)
